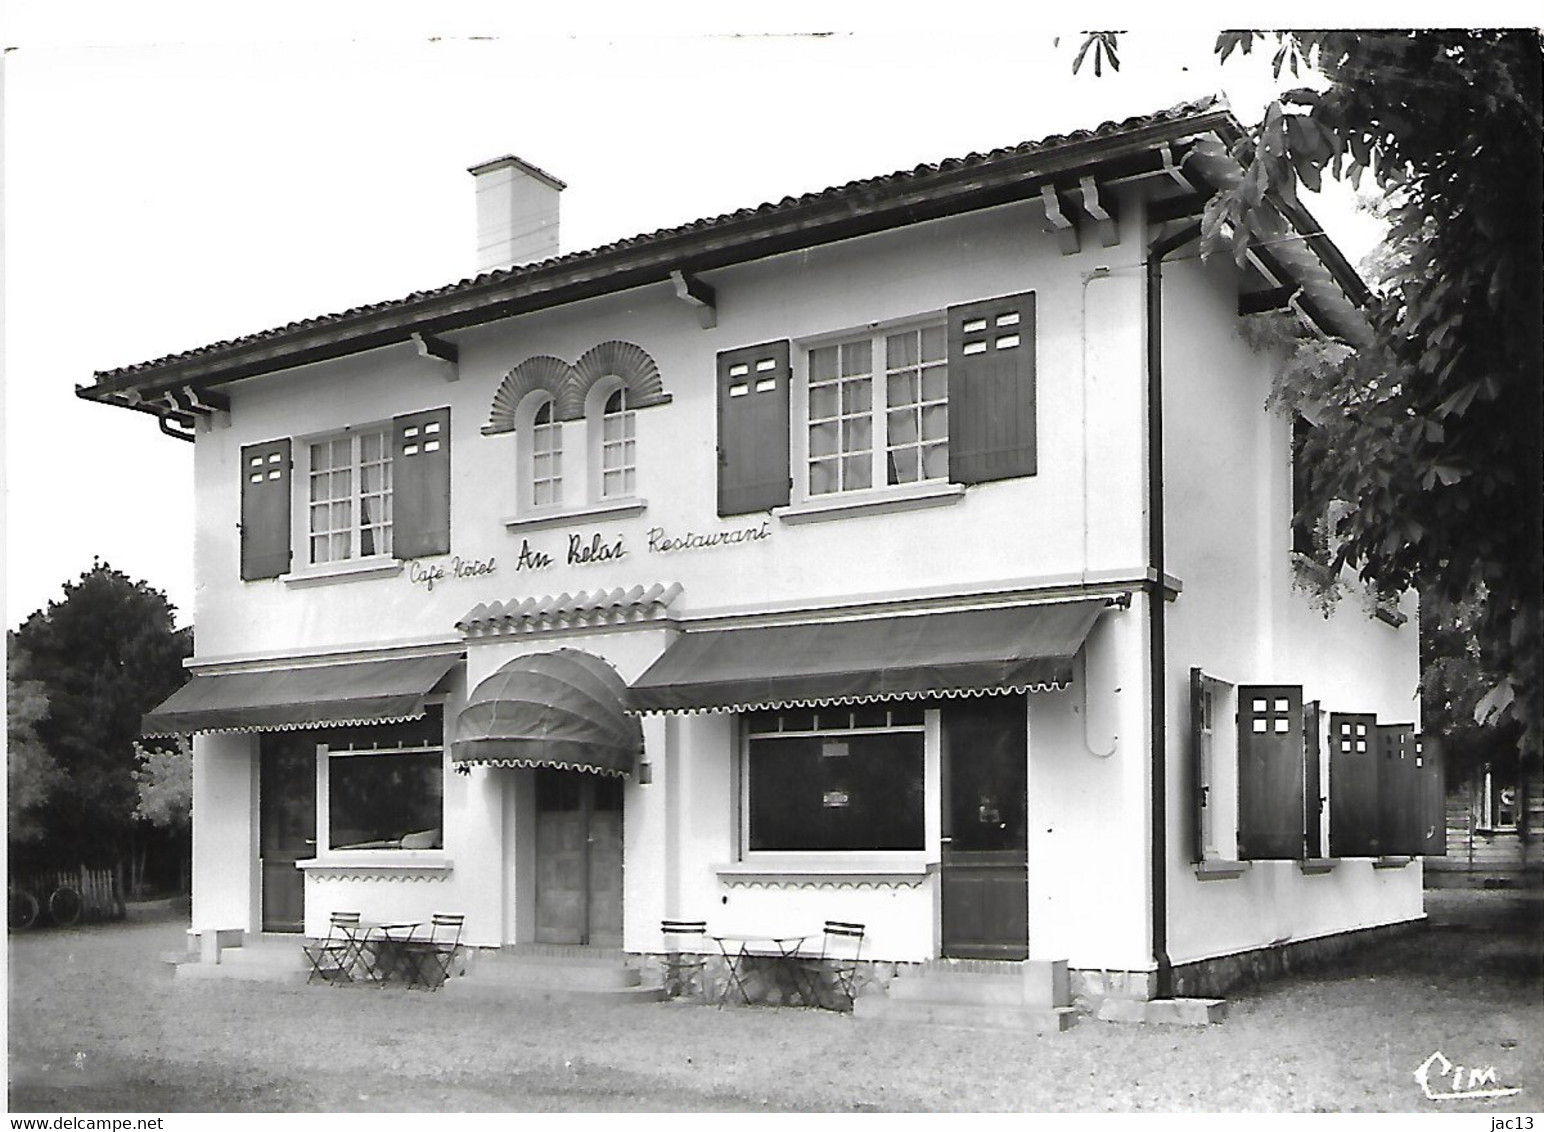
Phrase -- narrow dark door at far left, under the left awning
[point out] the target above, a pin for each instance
(286, 825)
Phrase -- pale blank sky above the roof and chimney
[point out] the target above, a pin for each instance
(175, 175)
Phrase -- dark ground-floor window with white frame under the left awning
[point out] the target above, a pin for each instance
(384, 787)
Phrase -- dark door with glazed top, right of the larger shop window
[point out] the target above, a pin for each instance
(986, 835)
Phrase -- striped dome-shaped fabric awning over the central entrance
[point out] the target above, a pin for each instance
(564, 710)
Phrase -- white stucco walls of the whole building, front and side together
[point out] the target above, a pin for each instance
(1082, 518)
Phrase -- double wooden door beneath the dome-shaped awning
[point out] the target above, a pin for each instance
(578, 859)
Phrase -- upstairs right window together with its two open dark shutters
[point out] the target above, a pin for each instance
(949, 398)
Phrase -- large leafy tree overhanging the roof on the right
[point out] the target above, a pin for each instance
(1437, 429)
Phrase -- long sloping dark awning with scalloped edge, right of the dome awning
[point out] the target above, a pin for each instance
(969, 652)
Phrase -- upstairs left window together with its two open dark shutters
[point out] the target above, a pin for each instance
(370, 493)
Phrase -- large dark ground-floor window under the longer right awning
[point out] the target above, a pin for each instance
(847, 779)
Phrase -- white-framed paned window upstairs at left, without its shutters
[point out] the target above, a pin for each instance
(351, 497)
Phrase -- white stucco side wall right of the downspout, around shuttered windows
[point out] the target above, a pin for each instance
(1228, 527)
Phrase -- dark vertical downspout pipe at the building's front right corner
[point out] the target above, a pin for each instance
(1159, 688)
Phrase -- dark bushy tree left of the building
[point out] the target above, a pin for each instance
(104, 656)
